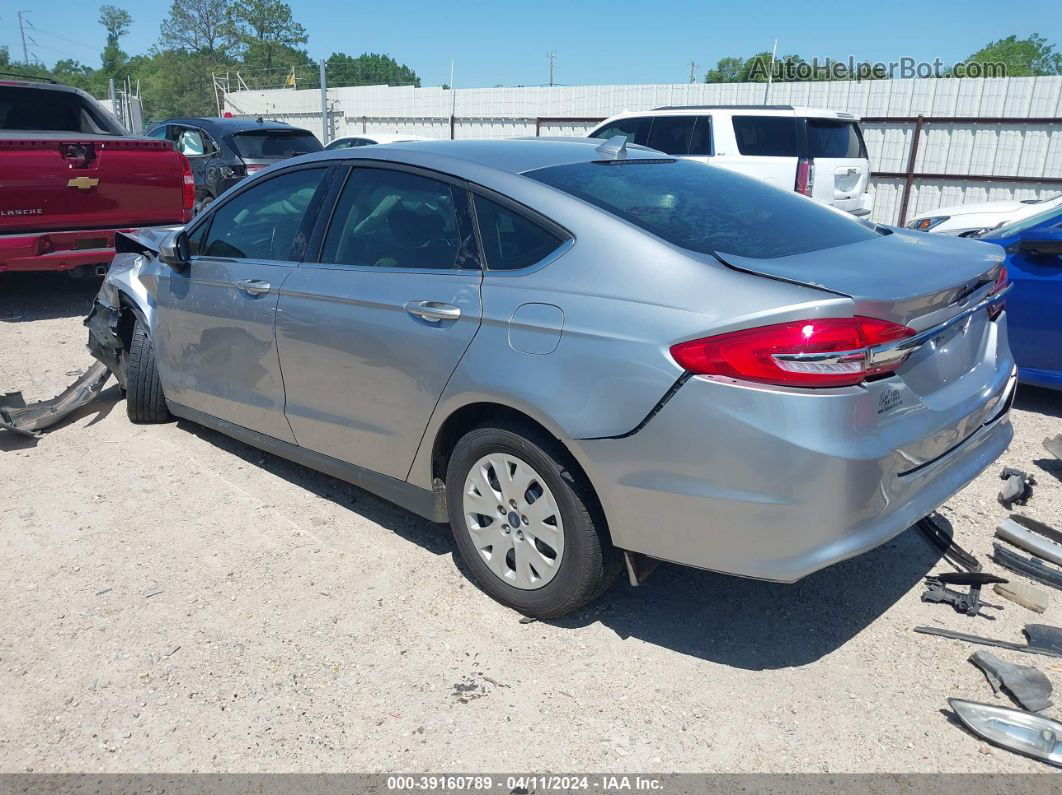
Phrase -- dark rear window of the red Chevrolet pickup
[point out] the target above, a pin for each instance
(42, 110)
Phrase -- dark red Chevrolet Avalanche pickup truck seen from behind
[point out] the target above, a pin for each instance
(71, 178)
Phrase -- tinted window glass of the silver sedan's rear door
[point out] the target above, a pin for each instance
(396, 219)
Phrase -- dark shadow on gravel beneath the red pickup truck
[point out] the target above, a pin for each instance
(45, 297)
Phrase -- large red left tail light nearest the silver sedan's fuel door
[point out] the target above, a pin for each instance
(830, 352)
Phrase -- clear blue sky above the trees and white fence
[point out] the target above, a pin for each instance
(595, 42)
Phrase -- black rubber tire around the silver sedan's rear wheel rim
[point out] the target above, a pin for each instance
(590, 564)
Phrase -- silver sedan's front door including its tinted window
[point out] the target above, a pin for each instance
(214, 338)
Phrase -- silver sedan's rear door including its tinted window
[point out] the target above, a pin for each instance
(370, 334)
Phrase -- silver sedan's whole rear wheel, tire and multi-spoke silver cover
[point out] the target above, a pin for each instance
(526, 524)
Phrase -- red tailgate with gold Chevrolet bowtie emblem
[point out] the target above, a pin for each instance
(77, 181)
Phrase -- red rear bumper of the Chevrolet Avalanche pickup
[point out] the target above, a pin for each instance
(57, 251)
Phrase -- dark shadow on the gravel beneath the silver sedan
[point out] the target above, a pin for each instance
(745, 624)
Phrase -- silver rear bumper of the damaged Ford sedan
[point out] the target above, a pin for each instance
(777, 486)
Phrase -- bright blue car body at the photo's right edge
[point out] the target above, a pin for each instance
(1035, 305)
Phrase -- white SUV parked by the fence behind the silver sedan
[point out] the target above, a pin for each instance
(818, 153)
